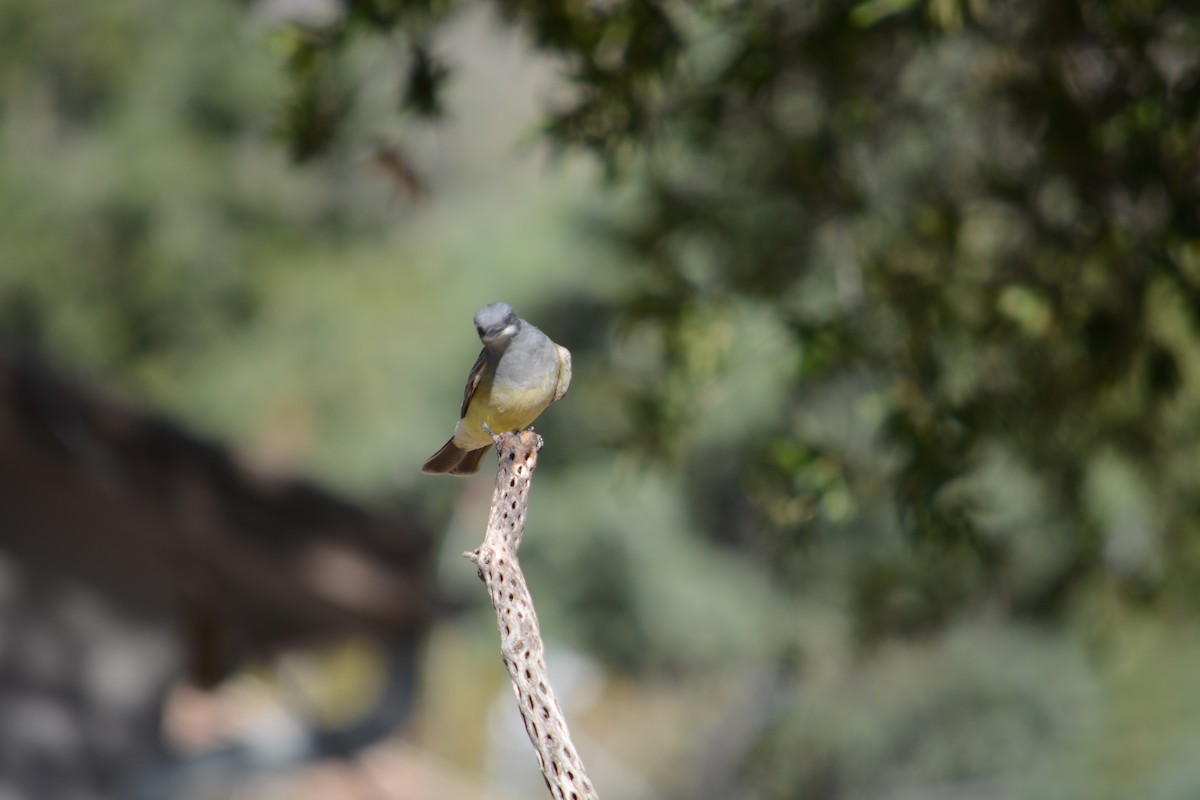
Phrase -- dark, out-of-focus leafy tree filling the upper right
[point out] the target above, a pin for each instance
(979, 222)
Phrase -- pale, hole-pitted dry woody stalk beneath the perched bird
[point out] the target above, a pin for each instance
(520, 637)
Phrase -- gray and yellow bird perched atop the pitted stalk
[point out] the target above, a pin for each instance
(519, 374)
